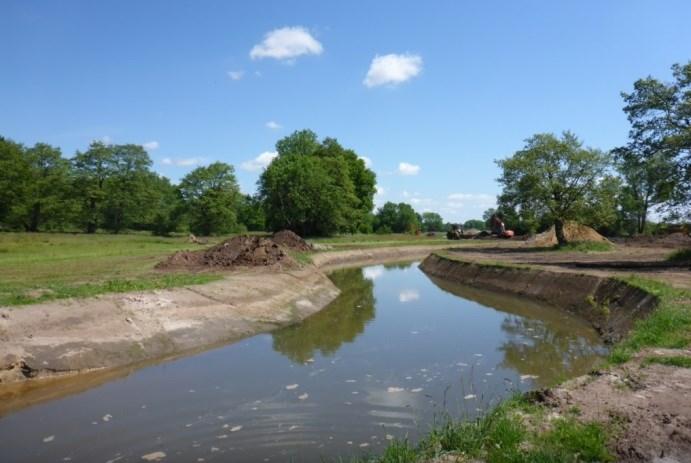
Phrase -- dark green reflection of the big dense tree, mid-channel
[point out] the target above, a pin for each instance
(340, 322)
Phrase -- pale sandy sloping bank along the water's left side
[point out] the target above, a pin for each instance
(67, 337)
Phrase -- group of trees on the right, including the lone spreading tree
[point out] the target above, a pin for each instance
(554, 179)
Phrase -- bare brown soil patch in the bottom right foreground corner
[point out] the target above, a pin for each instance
(647, 406)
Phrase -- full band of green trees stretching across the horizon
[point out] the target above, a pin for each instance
(318, 188)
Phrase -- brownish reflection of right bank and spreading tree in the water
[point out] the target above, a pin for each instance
(542, 343)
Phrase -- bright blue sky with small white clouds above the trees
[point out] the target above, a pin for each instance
(457, 84)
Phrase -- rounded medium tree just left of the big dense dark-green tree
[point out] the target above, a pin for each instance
(210, 195)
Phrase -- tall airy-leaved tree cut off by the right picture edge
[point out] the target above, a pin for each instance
(660, 117)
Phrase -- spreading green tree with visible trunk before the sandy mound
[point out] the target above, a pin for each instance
(553, 176)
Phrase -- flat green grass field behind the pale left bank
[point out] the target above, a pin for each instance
(36, 267)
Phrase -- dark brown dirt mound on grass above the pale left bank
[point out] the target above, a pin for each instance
(240, 251)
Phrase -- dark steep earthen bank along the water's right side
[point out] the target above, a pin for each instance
(610, 305)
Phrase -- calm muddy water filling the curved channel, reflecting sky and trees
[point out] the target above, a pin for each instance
(395, 352)
